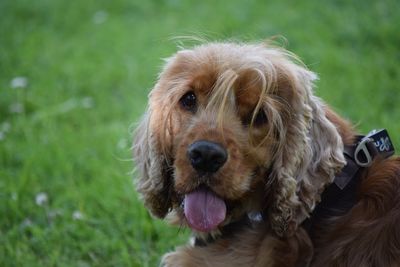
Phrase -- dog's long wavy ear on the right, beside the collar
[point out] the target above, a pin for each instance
(309, 157)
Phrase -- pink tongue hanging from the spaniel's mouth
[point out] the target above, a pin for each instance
(204, 210)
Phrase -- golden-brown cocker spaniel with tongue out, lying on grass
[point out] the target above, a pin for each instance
(236, 146)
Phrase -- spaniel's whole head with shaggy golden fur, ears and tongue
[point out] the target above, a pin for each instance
(233, 129)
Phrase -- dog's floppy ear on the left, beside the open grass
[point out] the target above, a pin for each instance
(154, 178)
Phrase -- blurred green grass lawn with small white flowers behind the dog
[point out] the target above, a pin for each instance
(85, 69)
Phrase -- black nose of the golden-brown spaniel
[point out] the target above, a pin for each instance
(206, 156)
